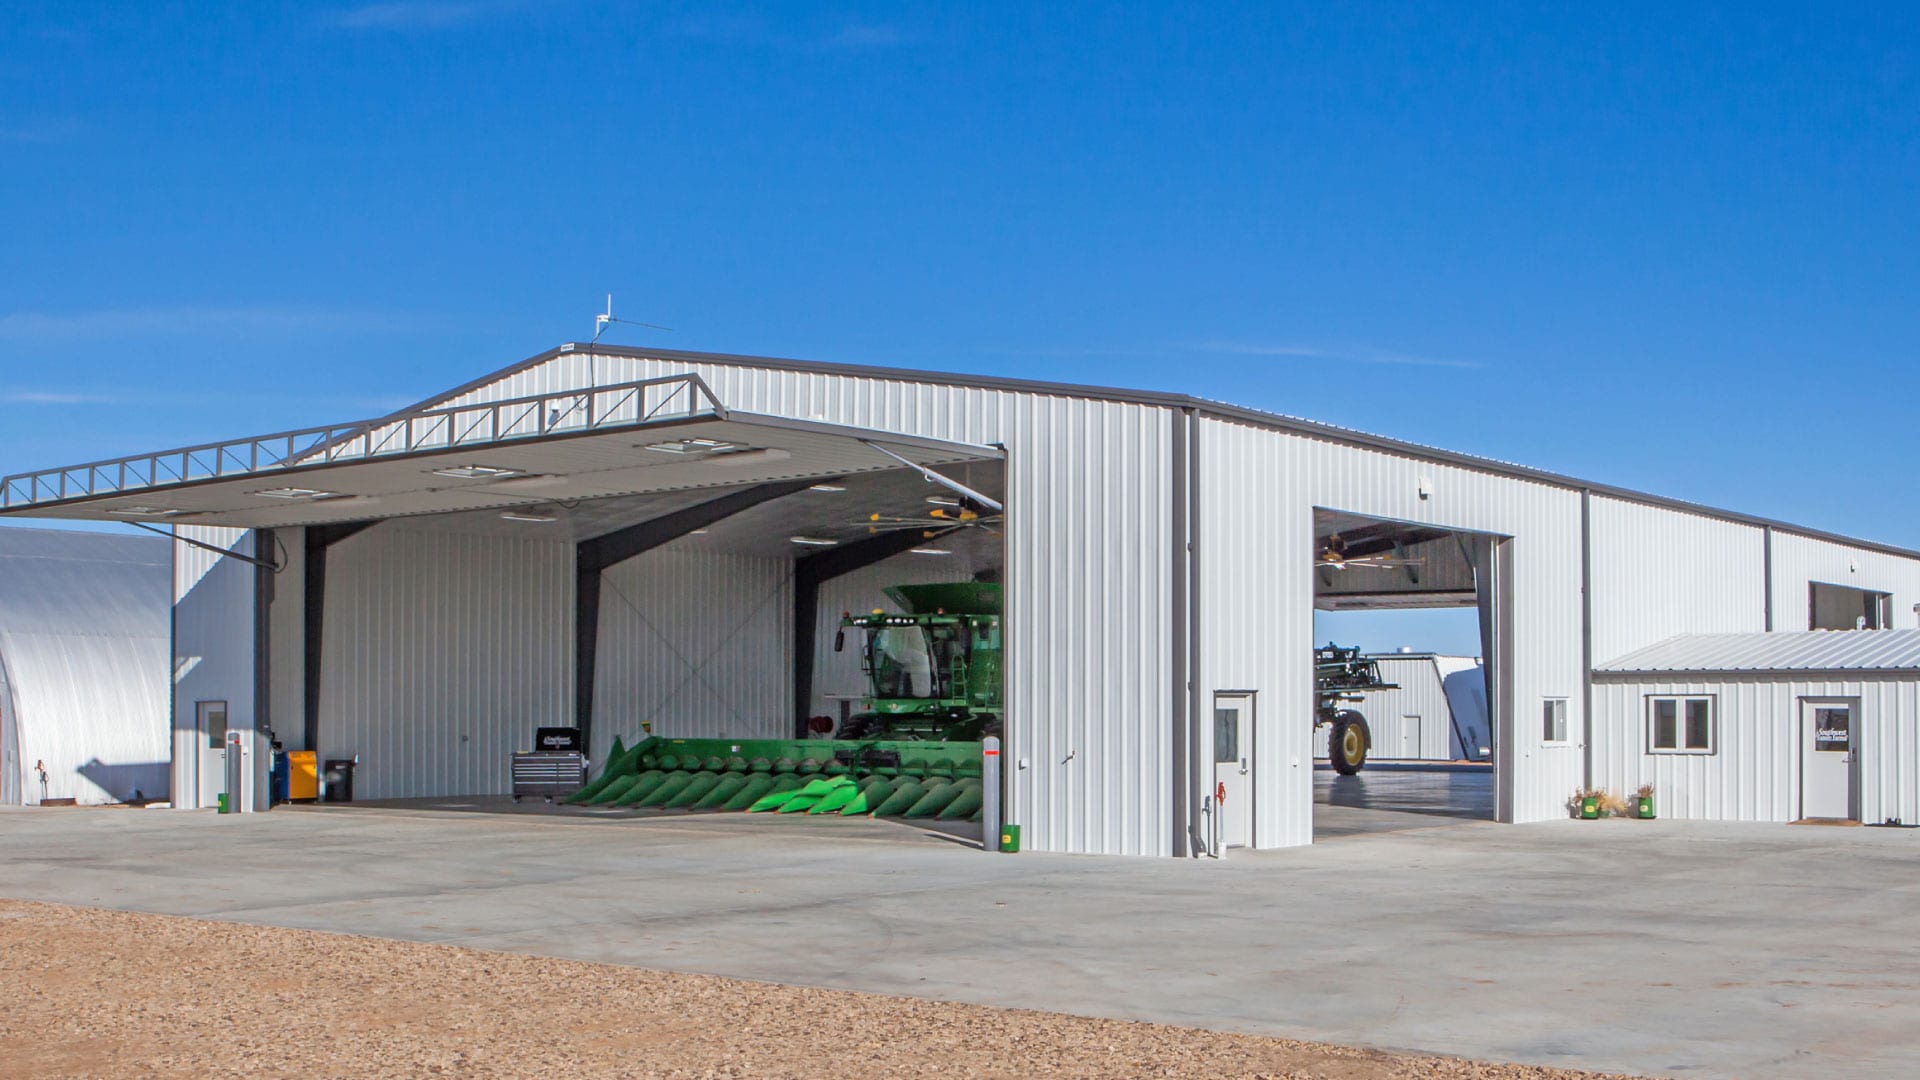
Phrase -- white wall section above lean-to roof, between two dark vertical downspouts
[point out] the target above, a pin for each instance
(1662, 574)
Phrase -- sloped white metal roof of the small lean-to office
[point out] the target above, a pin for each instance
(1779, 652)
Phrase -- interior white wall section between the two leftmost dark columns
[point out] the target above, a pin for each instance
(443, 656)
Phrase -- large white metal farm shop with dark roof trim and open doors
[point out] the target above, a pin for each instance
(615, 537)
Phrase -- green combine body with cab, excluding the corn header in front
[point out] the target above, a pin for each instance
(932, 674)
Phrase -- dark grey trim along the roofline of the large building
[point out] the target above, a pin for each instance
(1218, 410)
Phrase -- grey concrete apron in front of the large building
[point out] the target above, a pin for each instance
(1664, 948)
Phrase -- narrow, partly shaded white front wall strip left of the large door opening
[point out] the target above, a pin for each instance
(212, 645)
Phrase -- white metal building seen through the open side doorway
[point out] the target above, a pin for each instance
(1418, 720)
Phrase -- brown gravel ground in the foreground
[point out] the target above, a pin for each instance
(116, 994)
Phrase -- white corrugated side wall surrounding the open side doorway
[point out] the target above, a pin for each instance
(1257, 535)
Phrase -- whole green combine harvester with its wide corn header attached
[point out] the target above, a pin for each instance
(913, 752)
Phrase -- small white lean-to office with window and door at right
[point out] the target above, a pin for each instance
(1767, 727)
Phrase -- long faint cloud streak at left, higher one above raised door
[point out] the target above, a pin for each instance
(174, 322)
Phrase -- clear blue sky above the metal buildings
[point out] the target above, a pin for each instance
(1662, 249)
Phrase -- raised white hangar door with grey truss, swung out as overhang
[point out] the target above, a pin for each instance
(648, 437)
